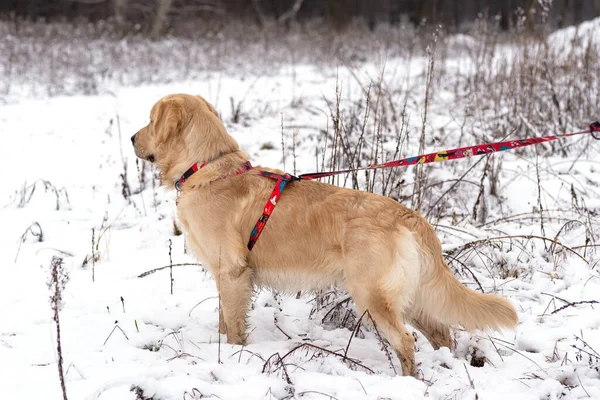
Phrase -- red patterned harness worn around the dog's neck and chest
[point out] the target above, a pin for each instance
(282, 180)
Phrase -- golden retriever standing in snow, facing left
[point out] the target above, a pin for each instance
(387, 256)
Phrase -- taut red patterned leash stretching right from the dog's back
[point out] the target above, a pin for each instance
(462, 152)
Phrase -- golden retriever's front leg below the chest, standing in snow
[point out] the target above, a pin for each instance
(235, 289)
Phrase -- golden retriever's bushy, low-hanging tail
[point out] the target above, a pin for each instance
(442, 296)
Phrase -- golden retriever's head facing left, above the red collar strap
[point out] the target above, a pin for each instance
(183, 130)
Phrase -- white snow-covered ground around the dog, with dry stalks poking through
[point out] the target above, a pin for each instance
(128, 337)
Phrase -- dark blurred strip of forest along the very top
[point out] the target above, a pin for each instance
(178, 17)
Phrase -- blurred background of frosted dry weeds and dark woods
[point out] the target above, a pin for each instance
(64, 47)
